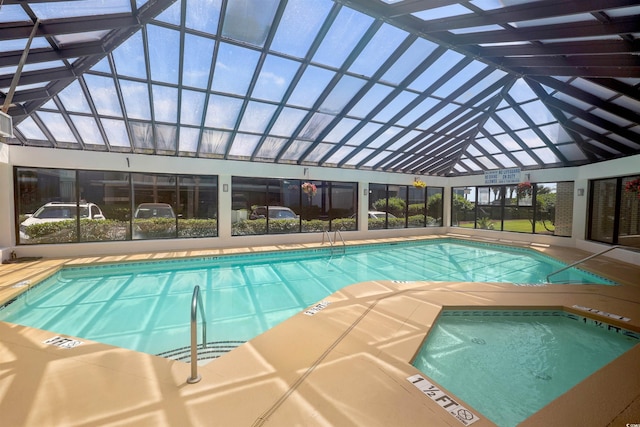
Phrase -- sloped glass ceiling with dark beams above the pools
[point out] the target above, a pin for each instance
(421, 87)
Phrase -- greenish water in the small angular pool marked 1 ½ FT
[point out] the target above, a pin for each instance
(509, 364)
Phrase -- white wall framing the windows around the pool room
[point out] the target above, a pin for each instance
(11, 156)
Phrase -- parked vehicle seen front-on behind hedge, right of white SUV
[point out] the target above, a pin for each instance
(145, 228)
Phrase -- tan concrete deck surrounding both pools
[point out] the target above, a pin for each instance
(347, 364)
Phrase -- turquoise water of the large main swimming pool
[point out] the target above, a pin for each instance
(146, 306)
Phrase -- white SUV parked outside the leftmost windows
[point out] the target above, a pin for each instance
(60, 211)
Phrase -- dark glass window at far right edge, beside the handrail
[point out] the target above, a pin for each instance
(614, 211)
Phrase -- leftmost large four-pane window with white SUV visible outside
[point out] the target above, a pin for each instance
(65, 206)
